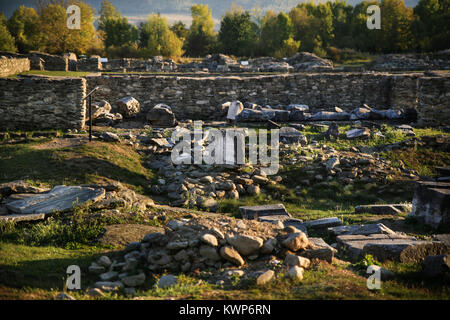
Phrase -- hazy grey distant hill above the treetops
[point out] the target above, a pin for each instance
(137, 8)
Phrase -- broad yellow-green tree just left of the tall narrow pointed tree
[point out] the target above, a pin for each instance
(158, 39)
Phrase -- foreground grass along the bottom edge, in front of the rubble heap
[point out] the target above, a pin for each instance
(39, 272)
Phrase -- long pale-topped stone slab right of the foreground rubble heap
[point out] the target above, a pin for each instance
(381, 246)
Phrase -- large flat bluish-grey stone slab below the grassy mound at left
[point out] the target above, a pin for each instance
(60, 198)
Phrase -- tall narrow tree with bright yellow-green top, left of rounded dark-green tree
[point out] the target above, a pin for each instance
(201, 39)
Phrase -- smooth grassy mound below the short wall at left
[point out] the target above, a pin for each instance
(85, 163)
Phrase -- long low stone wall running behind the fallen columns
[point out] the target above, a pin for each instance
(201, 97)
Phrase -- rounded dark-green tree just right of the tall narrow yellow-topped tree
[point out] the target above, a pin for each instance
(238, 34)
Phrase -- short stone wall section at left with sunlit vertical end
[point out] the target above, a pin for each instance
(42, 103)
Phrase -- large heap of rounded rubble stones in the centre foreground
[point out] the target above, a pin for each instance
(213, 242)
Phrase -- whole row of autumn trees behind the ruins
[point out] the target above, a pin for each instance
(330, 28)
